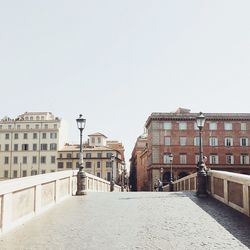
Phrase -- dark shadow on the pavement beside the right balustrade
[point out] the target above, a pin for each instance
(233, 221)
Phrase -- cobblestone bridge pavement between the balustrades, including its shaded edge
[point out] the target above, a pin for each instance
(145, 221)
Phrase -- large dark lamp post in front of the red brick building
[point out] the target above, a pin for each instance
(201, 174)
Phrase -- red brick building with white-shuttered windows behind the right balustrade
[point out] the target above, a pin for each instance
(225, 138)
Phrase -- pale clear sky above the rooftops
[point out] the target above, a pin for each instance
(117, 61)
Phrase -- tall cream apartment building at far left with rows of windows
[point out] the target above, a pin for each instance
(29, 144)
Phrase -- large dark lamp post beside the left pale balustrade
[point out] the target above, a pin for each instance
(81, 175)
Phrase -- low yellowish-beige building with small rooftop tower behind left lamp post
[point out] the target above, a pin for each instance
(97, 154)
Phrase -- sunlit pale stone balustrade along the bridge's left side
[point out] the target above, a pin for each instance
(23, 198)
